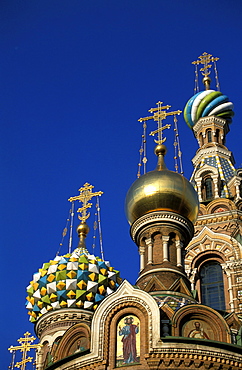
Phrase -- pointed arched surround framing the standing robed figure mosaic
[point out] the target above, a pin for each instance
(126, 302)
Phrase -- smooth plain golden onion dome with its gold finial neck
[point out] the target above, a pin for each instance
(161, 190)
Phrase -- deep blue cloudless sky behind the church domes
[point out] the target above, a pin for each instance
(75, 76)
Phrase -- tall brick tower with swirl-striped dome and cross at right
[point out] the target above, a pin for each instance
(214, 256)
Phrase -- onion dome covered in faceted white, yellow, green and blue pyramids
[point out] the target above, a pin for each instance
(76, 280)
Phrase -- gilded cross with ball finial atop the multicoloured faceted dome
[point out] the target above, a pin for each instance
(85, 196)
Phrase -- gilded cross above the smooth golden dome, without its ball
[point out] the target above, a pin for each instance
(159, 114)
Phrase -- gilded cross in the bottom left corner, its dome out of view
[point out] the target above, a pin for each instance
(24, 347)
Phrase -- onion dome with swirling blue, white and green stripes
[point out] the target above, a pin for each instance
(208, 103)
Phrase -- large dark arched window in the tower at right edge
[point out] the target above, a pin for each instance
(212, 286)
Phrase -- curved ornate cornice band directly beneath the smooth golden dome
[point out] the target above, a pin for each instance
(158, 217)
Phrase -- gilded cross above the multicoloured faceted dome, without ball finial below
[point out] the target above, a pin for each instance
(85, 195)
